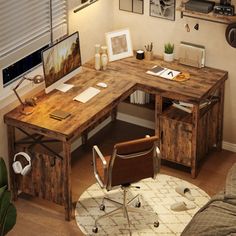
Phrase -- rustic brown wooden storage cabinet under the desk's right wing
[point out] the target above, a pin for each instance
(177, 131)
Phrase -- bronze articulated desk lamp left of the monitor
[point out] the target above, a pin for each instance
(28, 104)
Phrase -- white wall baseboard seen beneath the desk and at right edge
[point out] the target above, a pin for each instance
(137, 121)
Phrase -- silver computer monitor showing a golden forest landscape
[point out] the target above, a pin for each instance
(61, 61)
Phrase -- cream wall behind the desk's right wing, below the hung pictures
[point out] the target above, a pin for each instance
(145, 29)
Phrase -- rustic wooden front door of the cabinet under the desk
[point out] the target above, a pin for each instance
(176, 139)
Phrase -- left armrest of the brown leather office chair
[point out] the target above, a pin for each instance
(98, 156)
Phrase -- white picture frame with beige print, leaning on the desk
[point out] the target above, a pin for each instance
(119, 44)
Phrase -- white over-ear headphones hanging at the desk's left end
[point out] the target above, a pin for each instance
(17, 166)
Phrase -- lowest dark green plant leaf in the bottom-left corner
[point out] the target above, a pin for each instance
(10, 219)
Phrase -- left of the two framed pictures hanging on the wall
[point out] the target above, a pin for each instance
(135, 6)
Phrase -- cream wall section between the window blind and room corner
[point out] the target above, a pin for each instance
(92, 23)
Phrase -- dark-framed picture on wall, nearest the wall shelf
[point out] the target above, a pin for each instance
(162, 8)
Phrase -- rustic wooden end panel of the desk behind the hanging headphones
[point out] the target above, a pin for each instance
(45, 179)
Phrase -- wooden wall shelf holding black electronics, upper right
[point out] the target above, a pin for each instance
(207, 17)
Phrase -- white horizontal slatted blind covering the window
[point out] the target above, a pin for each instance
(26, 24)
